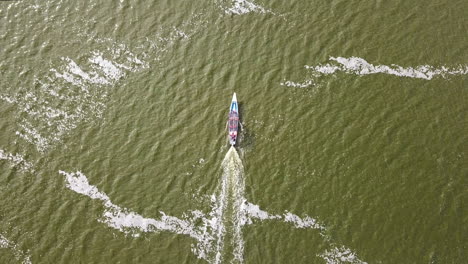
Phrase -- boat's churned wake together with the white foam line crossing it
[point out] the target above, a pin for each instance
(218, 234)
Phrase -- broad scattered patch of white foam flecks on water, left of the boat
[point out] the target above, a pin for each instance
(74, 90)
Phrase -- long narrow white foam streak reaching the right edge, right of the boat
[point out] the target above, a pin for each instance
(359, 66)
